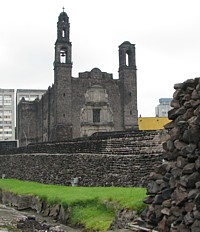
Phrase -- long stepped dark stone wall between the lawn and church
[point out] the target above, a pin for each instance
(118, 160)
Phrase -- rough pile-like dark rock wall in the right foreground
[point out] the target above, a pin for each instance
(174, 189)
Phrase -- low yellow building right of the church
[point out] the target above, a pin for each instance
(152, 123)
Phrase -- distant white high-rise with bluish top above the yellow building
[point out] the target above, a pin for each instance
(163, 108)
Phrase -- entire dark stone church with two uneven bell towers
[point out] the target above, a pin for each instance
(80, 106)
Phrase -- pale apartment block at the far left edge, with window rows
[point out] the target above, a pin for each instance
(7, 114)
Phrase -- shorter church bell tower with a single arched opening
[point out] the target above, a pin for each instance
(128, 85)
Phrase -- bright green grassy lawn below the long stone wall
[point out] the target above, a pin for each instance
(93, 207)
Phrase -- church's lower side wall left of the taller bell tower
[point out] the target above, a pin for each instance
(36, 119)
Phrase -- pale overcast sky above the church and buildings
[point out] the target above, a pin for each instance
(166, 34)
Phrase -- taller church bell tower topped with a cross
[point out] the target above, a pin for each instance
(62, 81)
